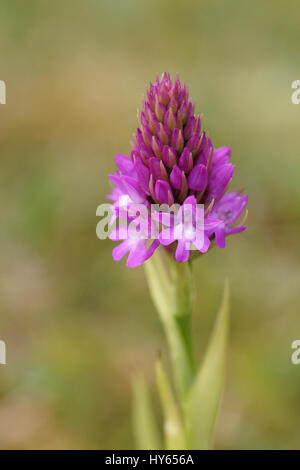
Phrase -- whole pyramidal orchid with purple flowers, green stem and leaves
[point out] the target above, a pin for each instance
(170, 203)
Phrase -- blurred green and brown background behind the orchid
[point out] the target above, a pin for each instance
(77, 325)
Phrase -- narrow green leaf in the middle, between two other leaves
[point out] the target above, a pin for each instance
(173, 425)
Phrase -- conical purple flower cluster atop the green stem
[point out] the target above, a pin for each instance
(173, 161)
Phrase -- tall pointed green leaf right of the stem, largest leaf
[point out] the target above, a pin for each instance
(204, 399)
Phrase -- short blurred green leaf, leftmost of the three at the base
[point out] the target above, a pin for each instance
(146, 433)
